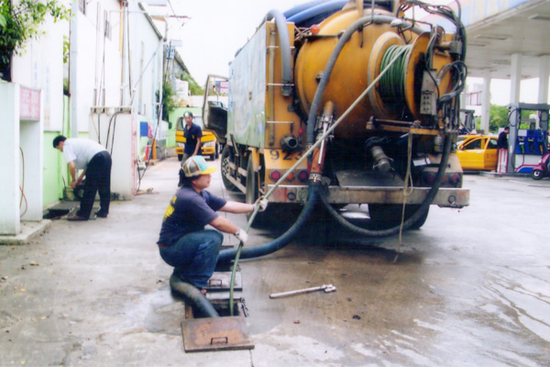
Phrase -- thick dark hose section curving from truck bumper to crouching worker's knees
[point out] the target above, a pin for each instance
(283, 240)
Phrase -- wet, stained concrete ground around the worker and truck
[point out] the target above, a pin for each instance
(470, 288)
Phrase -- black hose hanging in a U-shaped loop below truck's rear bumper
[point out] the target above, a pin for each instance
(409, 222)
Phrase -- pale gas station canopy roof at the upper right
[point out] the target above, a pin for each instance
(498, 29)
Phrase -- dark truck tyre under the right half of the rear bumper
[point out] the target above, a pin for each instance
(385, 216)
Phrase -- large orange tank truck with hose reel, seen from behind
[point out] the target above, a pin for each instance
(386, 90)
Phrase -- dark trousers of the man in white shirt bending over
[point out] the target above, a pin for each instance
(98, 179)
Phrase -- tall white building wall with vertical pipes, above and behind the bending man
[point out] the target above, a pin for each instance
(101, 65)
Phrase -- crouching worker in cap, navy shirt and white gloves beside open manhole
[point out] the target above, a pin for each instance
(184, 243)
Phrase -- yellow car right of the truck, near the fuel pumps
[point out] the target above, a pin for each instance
(478, 152)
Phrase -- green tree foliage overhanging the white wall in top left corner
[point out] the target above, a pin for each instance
(19, 22)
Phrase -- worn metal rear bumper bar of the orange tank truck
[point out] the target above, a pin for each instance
(446, 197)
